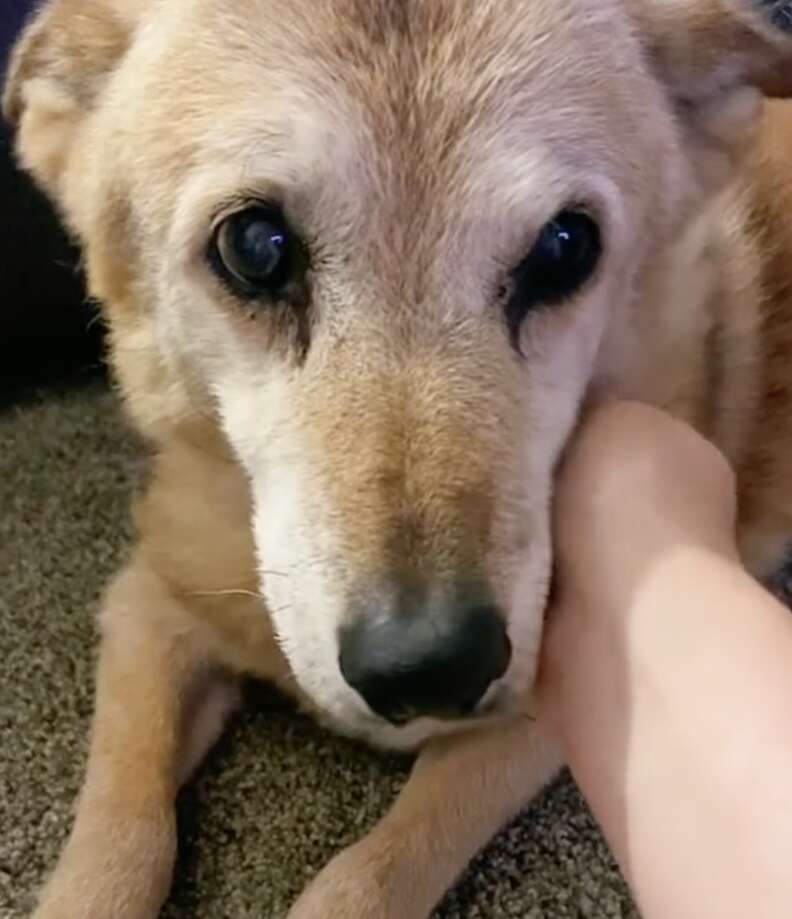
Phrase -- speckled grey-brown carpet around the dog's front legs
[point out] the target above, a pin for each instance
(278, 796)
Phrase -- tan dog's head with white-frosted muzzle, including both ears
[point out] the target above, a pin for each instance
(389, 244)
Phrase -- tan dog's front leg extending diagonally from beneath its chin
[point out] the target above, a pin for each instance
(461, 792)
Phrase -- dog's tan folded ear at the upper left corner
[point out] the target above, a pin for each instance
(57, 72)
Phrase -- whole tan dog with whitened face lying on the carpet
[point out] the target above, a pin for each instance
(362, 263)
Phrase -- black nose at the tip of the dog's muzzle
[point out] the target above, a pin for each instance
(434, 659)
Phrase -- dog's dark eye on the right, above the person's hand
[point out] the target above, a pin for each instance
(563, 258)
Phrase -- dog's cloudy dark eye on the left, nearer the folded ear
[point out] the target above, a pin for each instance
(254, 251)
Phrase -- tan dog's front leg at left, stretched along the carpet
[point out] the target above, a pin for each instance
(158, 709)
